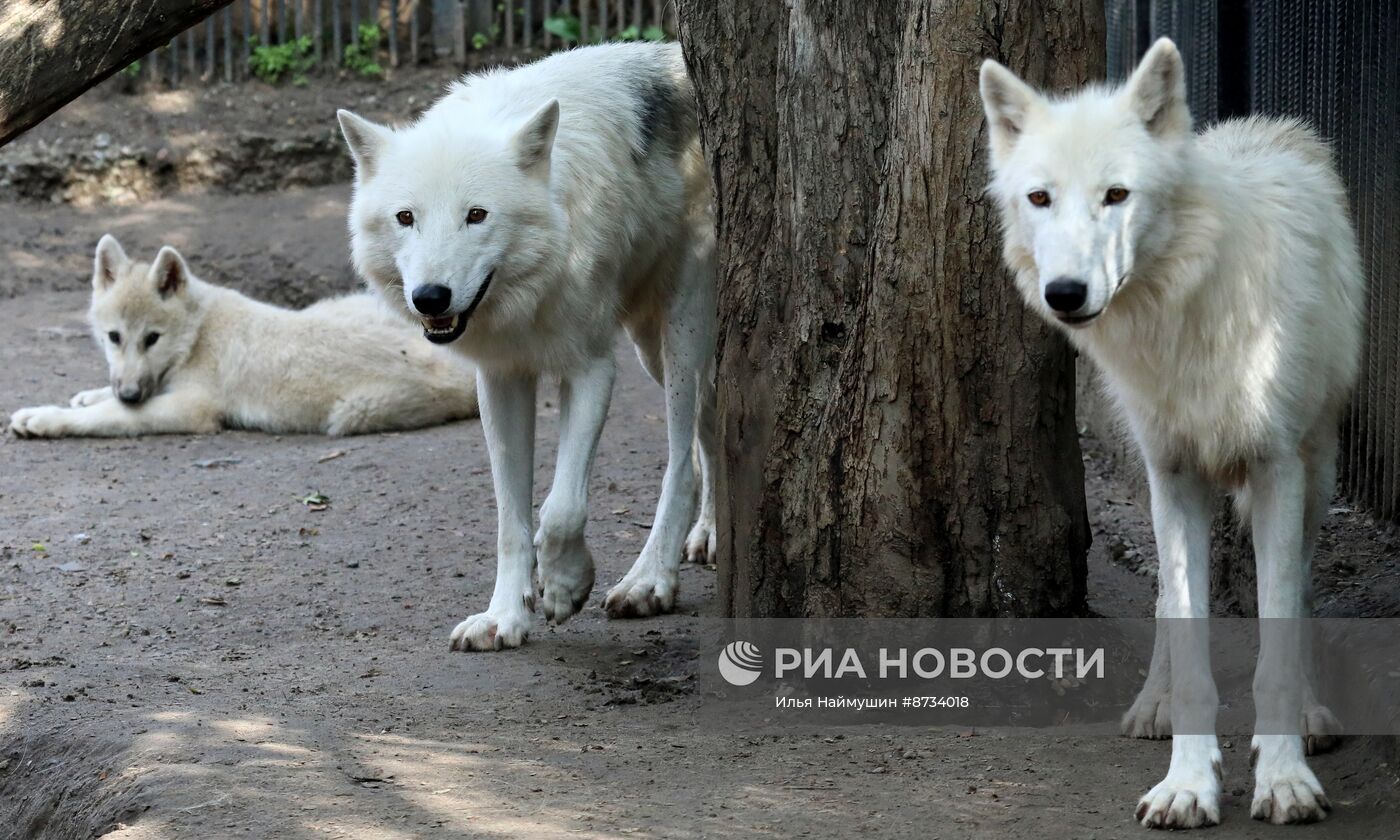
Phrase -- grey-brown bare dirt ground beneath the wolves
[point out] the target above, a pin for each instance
(190, 652)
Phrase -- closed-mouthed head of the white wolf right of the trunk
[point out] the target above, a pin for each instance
(1084, 183)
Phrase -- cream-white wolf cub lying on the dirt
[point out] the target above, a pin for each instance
(192, 358)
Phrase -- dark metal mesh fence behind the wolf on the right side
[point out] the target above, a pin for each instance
(1335, 64)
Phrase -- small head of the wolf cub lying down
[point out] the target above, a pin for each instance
(142, 317)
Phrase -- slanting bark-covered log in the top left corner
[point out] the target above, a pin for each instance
(52, 51)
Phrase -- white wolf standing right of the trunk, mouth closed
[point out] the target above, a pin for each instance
(1216, 283)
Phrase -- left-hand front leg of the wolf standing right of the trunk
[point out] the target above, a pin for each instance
(1191, 794)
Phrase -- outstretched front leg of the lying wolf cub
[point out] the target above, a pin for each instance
(177, 412)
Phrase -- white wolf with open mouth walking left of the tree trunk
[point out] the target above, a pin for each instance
(526, 219)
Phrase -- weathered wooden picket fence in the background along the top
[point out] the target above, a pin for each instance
(317, 33)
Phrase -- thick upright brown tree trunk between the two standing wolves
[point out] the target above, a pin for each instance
(897, 429)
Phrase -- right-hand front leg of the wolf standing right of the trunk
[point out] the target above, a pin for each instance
(1286, 789)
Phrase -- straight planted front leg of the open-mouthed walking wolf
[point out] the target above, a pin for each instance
(509, 422)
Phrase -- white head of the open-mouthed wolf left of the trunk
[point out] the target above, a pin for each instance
(456, 216)
